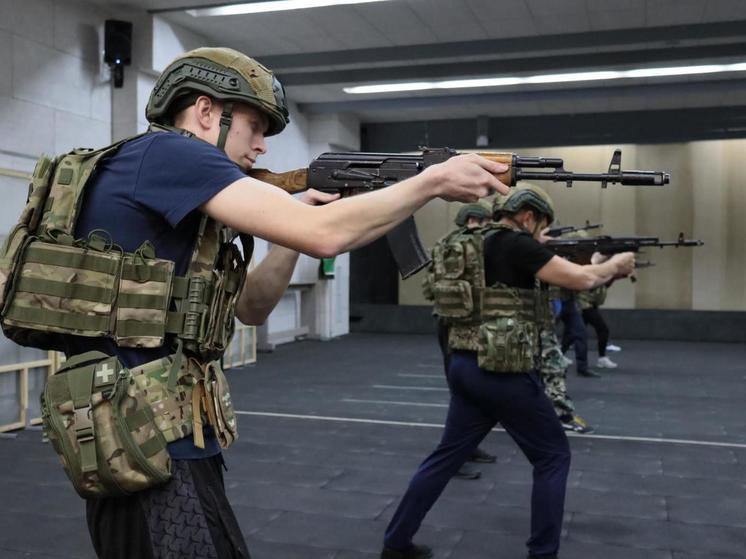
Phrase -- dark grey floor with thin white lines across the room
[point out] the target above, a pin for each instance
(333, 432)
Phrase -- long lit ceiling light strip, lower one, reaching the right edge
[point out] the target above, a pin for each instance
(548, 78)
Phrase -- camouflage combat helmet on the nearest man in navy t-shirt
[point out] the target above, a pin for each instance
(224, 74)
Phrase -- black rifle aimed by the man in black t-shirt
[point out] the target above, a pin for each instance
(581, 250)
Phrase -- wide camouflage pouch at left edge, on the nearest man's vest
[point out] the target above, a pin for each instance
(64, 289)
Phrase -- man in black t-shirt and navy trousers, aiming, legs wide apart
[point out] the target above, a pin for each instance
(489, 289)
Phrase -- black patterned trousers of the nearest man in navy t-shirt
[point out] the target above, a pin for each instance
(187, 518)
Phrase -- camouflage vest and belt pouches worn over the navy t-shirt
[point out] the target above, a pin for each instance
(52, 284)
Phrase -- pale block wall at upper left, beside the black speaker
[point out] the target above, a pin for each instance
(54, 90)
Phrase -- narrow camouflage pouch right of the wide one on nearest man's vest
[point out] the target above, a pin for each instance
(142, 304)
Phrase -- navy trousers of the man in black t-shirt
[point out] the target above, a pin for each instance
(478, 401)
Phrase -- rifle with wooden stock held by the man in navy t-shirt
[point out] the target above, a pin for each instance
(355, 172)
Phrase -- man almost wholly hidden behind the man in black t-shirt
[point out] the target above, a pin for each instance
(469, 218)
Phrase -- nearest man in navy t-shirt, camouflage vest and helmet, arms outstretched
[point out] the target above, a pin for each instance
(124, 259)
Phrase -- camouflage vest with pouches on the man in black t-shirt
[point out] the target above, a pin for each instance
(499, 322)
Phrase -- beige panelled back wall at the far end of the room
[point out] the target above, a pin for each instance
(706, 199)
